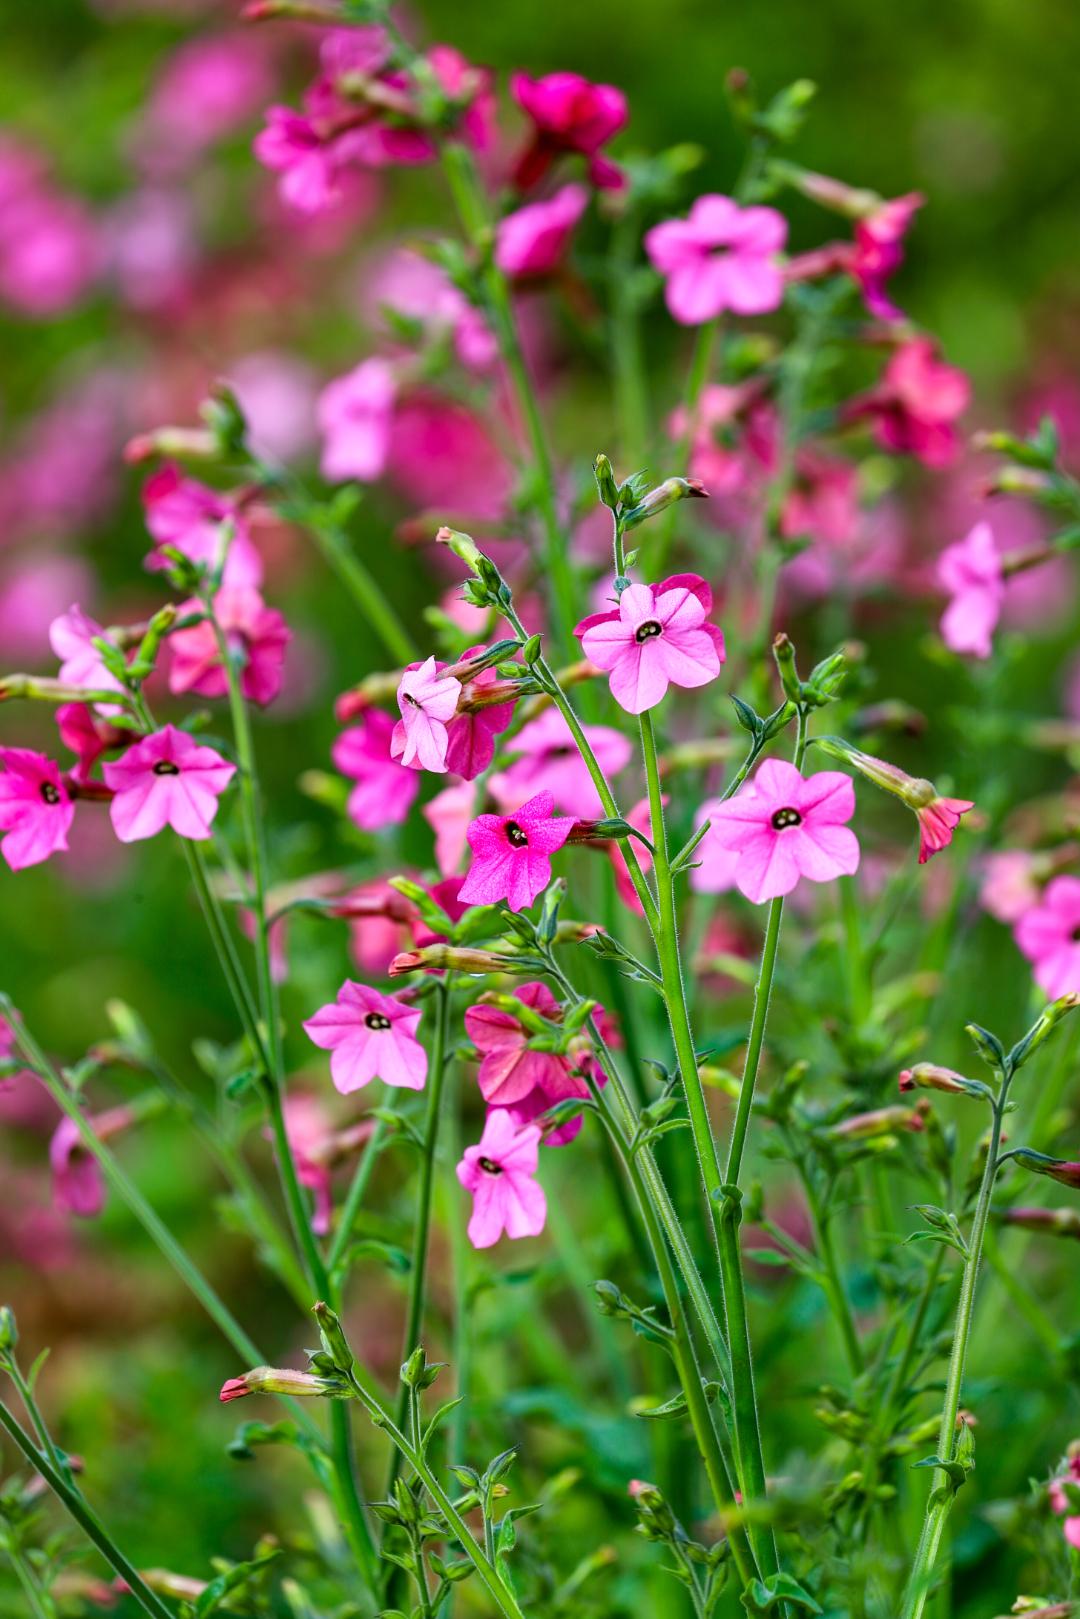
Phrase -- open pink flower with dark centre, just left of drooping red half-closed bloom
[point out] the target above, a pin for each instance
(786, 828)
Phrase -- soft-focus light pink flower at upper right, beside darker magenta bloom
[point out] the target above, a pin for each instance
(720, 258)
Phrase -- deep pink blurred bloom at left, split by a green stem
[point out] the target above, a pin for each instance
(252, 631)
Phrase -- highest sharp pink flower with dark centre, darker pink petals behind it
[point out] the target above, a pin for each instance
(657, 637)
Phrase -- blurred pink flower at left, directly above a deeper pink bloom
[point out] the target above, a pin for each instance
(189, 516)
